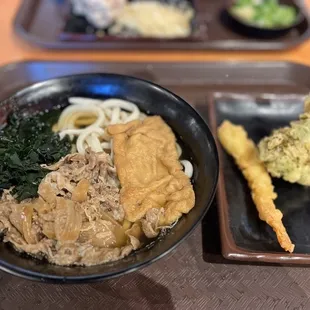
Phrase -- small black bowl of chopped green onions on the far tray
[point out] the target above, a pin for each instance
(250, 29)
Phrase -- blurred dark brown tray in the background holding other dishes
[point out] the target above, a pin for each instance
(33, 16)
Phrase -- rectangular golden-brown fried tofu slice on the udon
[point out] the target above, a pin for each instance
(149, 170)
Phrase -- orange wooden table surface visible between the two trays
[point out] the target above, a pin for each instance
(14, 49)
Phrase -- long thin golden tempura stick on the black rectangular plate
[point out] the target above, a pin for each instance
(235, 141)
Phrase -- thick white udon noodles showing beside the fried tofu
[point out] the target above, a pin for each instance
(87, 119)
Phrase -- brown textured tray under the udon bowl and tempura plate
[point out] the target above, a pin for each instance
(195, 276)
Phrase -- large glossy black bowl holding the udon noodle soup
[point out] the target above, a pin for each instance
(189, 127)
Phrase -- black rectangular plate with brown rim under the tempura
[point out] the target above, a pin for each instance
(259, 115)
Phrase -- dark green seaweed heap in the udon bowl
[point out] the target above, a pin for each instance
(26, 143)
